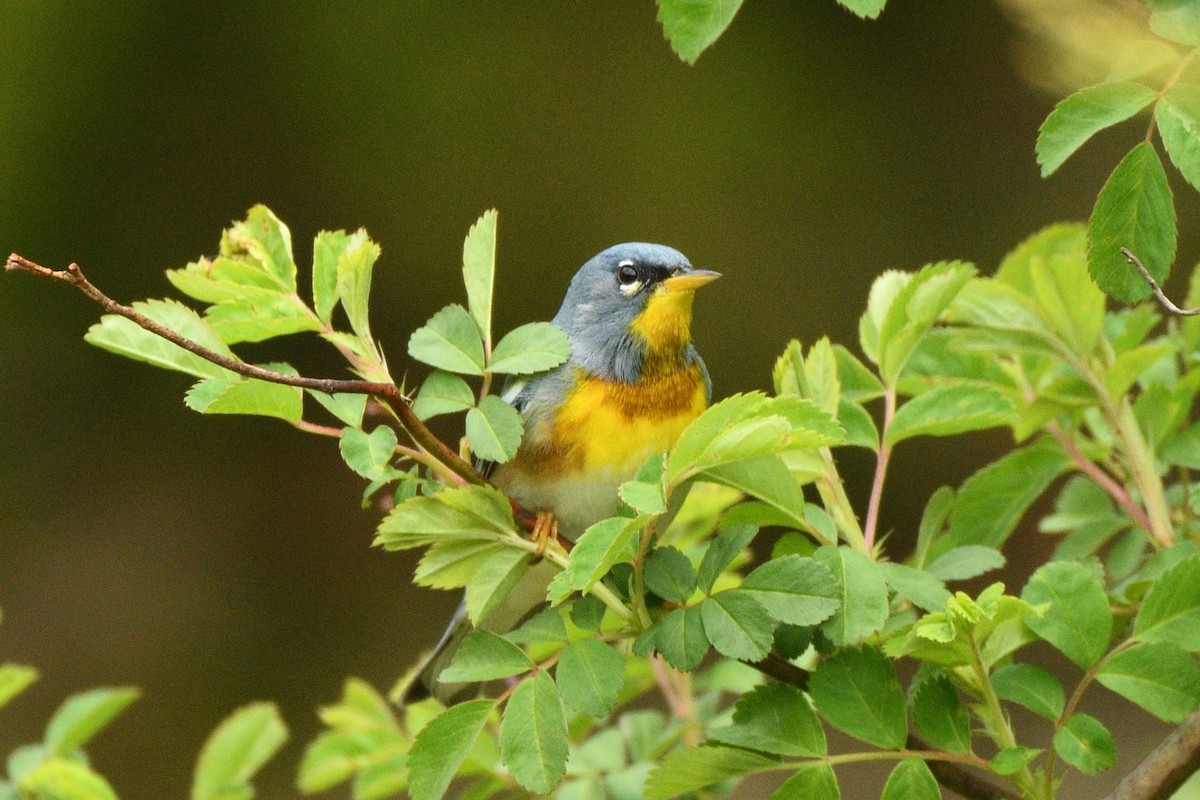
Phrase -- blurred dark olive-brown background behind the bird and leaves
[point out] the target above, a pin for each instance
(218, 561)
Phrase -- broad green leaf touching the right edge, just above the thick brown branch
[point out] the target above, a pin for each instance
(1159, 677)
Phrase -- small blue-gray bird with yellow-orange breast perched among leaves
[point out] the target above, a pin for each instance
(631, 387)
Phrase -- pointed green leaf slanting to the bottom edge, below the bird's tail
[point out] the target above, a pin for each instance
(442, 745)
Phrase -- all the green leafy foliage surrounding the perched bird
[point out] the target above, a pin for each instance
(1099, 405)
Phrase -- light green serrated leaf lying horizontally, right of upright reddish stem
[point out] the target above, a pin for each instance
(949, 411)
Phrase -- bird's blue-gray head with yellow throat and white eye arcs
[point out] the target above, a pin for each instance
(629, 303)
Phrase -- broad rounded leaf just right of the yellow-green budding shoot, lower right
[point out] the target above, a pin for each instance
(1078, 622)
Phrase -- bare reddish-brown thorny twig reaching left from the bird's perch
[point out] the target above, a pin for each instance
(387, 393)
